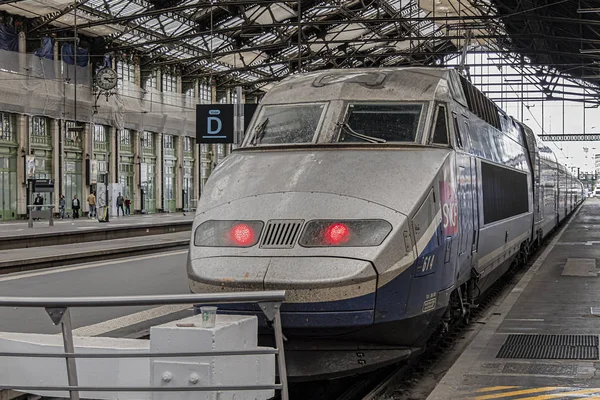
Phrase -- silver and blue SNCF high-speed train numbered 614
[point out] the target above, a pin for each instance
(384, 201)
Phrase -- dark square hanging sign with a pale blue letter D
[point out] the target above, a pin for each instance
(215, 123)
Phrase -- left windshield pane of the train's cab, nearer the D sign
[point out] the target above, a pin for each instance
(291, 123)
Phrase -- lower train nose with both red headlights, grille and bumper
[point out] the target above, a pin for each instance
(330, 282)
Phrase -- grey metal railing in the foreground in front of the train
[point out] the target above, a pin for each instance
(58, 310)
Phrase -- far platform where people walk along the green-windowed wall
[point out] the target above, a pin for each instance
(17, 234)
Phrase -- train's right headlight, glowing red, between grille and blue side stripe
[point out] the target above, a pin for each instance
(345, 233)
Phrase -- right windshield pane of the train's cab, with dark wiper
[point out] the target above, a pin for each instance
(381, 123)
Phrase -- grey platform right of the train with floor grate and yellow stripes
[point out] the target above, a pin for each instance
(542, 340)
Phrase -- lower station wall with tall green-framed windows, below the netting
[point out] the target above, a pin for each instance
(158, 171)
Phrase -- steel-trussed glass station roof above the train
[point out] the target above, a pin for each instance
(255, 43)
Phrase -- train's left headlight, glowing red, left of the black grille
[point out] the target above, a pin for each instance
(228, 233)
